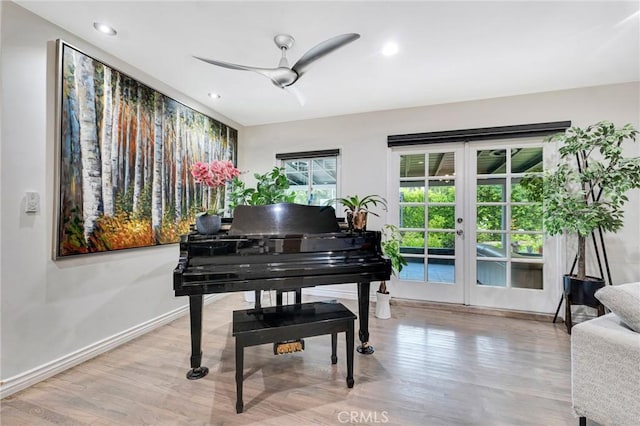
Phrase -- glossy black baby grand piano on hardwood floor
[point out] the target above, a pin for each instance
(277, 247)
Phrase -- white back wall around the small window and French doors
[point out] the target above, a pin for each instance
(362, 139)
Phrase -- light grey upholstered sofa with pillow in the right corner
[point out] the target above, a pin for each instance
(605, 361)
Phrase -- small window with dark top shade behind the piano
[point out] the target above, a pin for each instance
(312, 175)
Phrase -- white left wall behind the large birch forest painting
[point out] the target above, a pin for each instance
(51, 309)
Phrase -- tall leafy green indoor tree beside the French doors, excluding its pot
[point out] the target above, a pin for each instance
(581, 197)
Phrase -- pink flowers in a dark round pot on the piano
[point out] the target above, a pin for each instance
(214, 177)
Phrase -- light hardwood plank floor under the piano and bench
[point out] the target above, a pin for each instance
(430, 367)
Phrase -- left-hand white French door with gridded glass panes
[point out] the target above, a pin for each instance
(429, 215)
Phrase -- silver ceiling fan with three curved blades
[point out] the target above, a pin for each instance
(284, 76)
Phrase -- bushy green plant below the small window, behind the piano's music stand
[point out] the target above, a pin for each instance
(271, 188)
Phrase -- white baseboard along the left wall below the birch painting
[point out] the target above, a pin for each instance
(31, 377)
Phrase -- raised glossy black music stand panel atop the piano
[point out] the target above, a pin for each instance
(283, 219)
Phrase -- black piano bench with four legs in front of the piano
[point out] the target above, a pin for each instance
(274, 324)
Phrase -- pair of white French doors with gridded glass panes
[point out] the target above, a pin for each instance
(469, 232)
